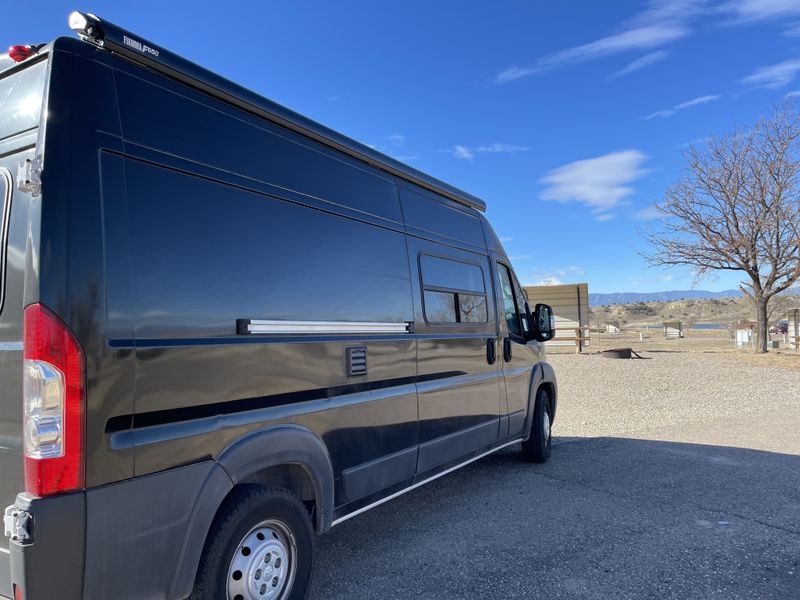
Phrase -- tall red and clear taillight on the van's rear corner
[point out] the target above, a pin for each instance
(53, 397)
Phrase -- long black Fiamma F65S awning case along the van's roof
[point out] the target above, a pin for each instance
(107, 35)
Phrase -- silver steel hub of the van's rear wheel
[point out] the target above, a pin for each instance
(264, 565)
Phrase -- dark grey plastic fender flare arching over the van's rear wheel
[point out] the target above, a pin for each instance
(284, 445)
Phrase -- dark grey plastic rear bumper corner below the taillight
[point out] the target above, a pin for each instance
(139, 538)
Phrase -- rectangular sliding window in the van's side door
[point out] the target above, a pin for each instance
(453, 291)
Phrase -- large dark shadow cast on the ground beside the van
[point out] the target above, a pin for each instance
(605, 518)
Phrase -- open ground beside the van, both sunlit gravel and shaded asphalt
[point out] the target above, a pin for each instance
(659, 487)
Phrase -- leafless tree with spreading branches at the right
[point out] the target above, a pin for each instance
(737, 208)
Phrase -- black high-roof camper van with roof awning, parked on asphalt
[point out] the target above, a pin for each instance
(225, 328)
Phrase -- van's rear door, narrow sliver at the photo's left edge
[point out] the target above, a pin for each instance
(21, 92)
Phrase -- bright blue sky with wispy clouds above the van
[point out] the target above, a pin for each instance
(569, 118)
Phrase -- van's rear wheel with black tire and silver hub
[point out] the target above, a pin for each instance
(258, 524)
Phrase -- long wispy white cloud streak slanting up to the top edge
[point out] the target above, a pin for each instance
(661, 23)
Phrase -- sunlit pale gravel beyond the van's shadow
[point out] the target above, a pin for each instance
(668, 395)
